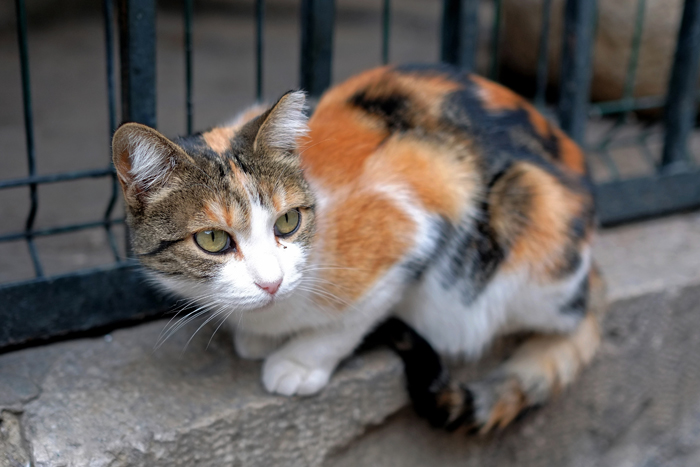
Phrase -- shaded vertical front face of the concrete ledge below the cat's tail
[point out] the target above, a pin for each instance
(637, 405)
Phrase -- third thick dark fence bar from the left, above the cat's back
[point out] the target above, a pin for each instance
(460, 33)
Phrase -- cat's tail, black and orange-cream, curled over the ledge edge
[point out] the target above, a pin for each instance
(541, 366)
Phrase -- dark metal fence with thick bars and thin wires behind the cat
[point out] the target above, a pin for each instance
(46, 307)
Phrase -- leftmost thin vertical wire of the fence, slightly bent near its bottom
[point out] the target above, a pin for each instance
(28, 132)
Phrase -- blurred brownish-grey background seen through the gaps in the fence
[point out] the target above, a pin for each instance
(633, 51)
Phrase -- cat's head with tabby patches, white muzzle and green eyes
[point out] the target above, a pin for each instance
(225, 216)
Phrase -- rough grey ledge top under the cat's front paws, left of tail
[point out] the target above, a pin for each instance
(117, 402)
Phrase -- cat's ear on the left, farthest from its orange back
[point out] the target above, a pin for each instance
(144, 158)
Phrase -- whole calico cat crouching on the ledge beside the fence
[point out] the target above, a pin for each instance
(416, 191)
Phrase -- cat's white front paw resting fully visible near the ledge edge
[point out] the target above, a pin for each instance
(288, 377)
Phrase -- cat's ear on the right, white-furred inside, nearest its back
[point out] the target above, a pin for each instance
(284, 124)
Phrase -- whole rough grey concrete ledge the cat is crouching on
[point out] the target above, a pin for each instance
(114, 401)
